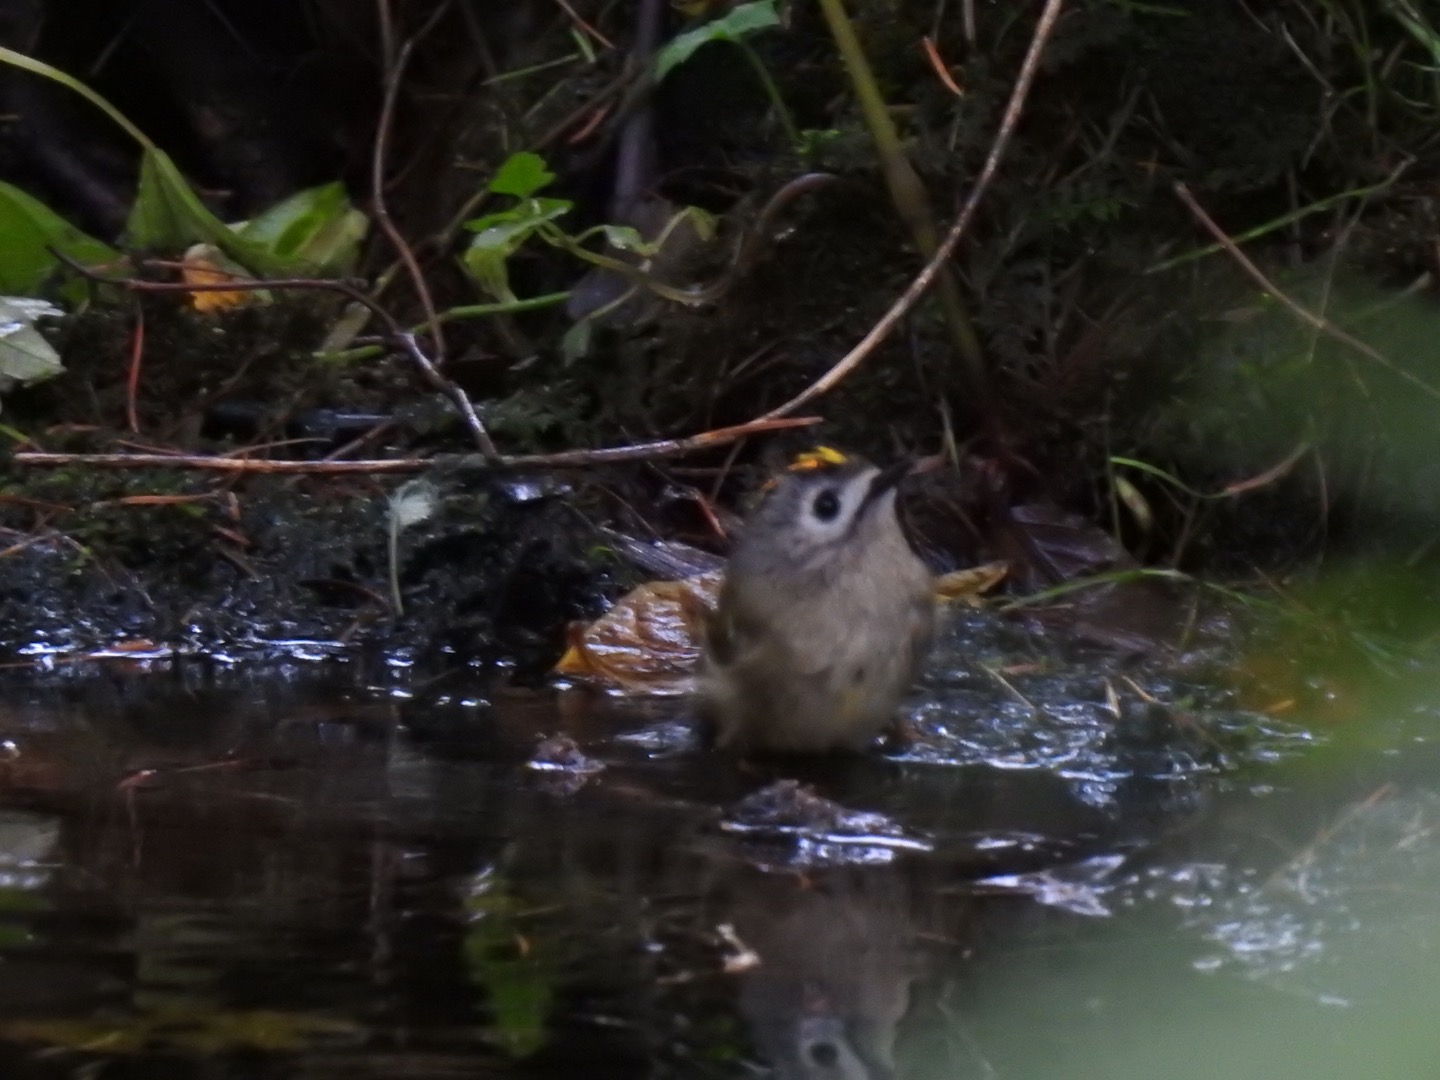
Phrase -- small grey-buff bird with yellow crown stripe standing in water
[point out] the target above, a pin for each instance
(824, 614)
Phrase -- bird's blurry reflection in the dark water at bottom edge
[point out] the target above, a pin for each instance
(834, 973)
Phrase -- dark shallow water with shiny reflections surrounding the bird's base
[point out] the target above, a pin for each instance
(1079, 869)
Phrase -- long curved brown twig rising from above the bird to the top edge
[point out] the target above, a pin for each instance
(932, 270)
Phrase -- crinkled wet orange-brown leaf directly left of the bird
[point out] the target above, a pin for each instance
(649, 642)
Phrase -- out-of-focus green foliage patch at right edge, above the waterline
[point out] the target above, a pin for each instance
(1268, 384)
